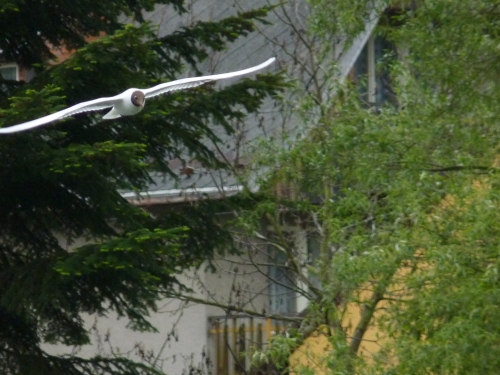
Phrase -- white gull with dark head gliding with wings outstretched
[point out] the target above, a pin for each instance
(131, 101)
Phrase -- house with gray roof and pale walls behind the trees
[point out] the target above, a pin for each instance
(199, 333)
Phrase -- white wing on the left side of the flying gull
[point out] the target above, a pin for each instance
(91, 105)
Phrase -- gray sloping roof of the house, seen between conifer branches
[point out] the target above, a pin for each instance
(281, 39)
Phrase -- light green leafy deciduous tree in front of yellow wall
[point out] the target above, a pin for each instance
(403, 197)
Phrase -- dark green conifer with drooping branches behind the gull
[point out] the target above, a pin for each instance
(60, 183)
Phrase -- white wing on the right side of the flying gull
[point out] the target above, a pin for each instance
(197, 81)
